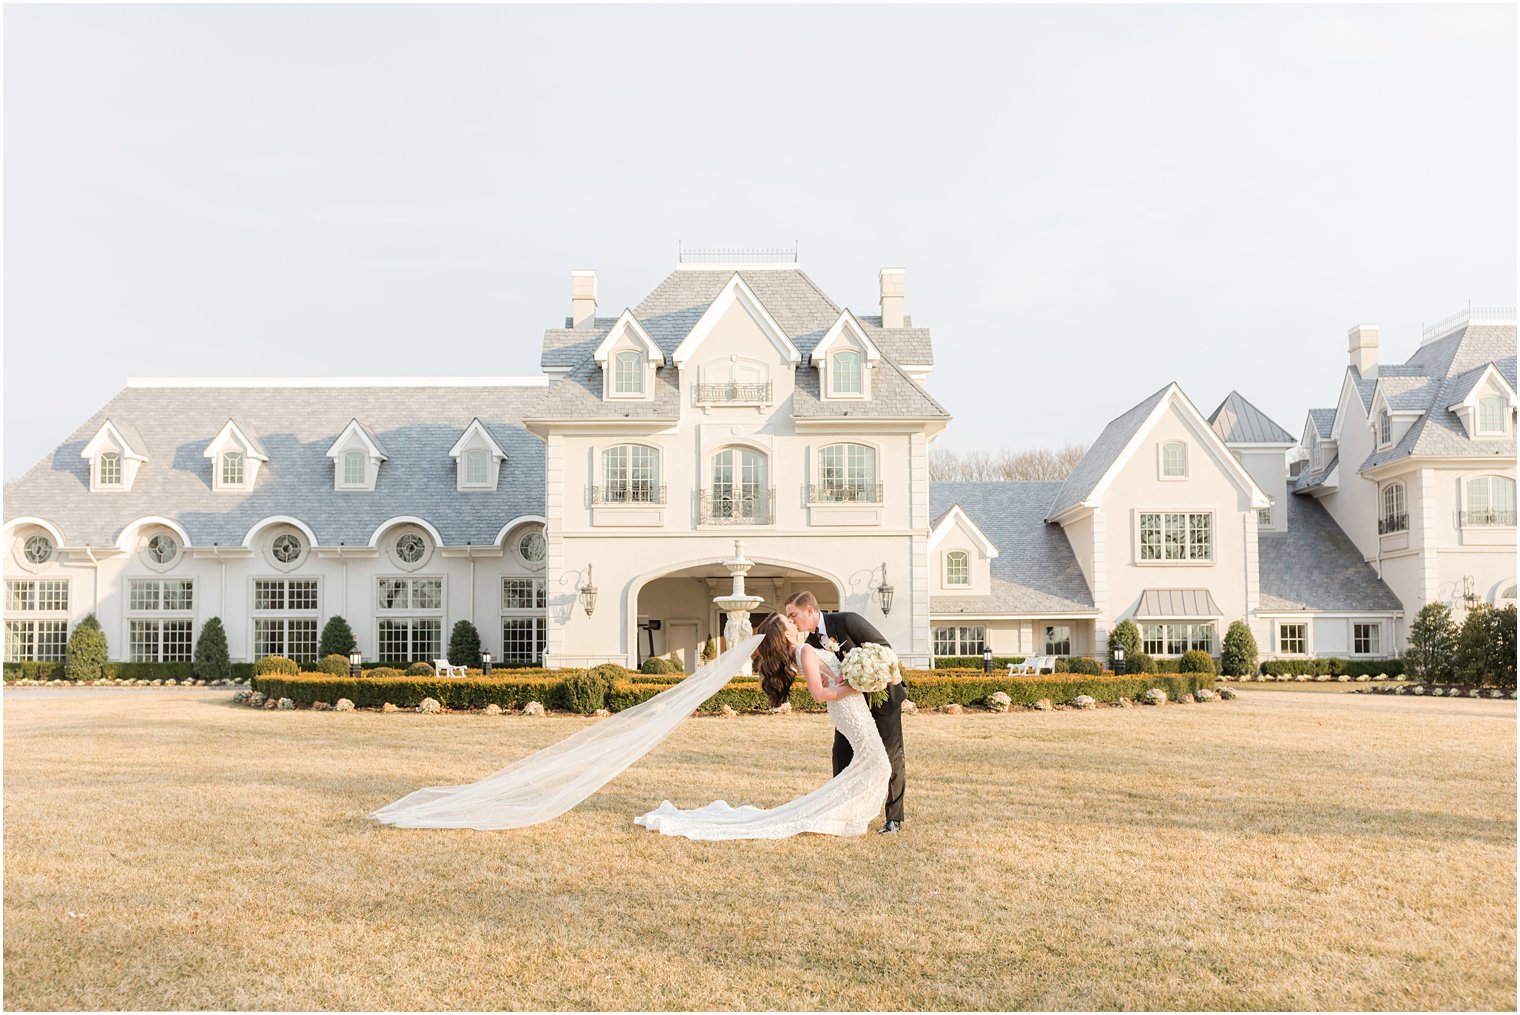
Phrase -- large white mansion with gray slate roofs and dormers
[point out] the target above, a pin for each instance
(741, 402)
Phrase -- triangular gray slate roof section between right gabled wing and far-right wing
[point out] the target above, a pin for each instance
(1316, 566)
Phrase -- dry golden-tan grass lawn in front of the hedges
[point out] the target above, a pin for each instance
(166, 850)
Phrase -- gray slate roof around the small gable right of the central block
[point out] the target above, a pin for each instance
(1036, 571)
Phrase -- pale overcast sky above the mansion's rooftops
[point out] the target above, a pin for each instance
(1089, 201)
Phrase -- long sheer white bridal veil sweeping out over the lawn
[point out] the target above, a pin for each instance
(557, 779)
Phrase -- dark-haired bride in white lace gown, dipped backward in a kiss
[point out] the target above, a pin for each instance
(841, 808)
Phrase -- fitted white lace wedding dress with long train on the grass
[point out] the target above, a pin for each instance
(843, 806)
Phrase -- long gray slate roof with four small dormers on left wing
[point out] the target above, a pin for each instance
(297, 428)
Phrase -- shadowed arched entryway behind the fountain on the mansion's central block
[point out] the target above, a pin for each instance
(674, 613)
